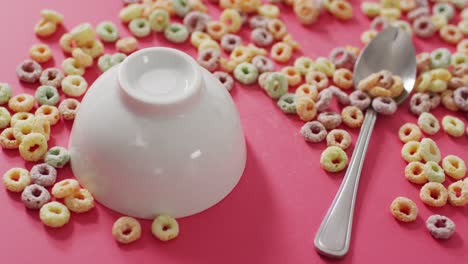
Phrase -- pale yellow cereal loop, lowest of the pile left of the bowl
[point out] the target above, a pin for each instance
(54, 214)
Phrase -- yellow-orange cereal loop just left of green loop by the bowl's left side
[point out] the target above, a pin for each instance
(33, 147)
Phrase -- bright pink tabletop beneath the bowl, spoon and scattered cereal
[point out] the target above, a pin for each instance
(274, 212)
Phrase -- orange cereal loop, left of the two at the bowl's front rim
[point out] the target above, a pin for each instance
(126, 230)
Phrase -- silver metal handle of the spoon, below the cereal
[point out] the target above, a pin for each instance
(334, 234)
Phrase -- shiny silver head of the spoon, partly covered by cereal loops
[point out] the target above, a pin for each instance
(392, 50)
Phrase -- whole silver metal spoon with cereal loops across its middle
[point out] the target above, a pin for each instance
(391, 50)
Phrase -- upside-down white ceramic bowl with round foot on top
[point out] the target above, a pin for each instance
(157, 134)
